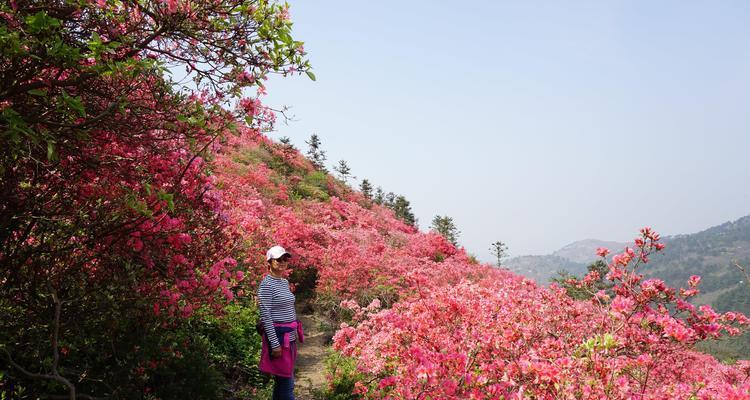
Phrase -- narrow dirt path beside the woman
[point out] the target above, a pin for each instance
(310, 374)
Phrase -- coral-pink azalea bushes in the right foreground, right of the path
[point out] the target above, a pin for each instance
(503, 337)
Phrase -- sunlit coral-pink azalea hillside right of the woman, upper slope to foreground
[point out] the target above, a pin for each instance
(421, 319)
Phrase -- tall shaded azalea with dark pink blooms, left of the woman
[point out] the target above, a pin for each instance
(112, 230)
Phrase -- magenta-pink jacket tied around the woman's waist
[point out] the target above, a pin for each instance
(282, 366)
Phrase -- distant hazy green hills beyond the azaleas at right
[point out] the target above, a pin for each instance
(710, 254)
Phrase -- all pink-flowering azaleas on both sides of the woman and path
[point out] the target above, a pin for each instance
(135, 213)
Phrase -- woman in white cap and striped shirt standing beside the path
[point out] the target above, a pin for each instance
(280, 327)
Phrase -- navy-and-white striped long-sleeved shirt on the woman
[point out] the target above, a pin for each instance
(276, 304)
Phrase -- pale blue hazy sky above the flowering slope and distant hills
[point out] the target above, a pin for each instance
(535, 123)
